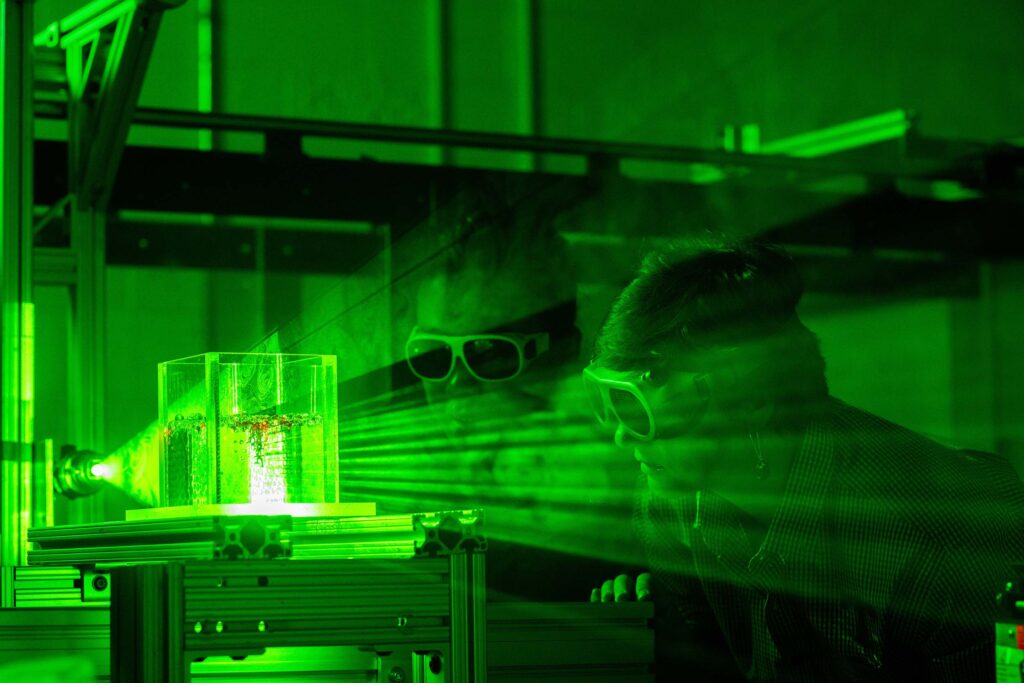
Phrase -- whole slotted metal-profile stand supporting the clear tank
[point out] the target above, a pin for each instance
(405, 587)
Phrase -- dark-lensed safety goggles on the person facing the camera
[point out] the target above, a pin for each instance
(489, 358)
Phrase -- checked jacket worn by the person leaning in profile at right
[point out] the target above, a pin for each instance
(882, 563)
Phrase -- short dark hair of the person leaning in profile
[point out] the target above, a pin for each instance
(687, 302)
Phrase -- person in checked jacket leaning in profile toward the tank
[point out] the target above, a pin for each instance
(824, 543)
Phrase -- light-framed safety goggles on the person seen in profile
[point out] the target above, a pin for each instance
(624, 404)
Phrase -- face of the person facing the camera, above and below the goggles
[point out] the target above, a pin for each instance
(475, 303)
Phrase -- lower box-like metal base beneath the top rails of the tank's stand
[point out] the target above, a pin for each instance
(164, 617)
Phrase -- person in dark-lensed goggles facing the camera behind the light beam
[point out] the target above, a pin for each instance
(495, 346)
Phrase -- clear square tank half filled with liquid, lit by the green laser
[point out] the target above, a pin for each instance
(249, 429)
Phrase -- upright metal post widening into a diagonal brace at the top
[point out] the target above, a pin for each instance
(107, 47)
